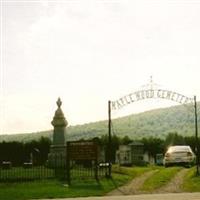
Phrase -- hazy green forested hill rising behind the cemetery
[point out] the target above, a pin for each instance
(158, 122)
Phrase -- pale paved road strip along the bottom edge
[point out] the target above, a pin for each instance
(169, 196)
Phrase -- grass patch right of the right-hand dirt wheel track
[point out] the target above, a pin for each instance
(191, 181)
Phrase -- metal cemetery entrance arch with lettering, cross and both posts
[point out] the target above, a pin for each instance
(153, 92)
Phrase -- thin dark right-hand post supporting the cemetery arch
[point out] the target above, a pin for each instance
(196, 137)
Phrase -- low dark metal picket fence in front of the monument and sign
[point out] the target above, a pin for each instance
(78, 170)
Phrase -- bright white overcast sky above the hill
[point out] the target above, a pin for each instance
(88, 52)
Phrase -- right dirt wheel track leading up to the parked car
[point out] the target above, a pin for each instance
(175, 184)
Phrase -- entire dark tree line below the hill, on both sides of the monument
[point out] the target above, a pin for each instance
(37, 151)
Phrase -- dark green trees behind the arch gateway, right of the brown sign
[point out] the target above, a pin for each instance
(152, 145)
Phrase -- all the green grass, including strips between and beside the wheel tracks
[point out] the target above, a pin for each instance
(52, 188)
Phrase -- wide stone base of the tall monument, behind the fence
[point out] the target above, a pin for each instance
(57, 156)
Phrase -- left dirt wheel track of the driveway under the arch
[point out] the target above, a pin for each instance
(134, 186)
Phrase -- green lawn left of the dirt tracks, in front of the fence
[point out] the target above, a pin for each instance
(56, 189)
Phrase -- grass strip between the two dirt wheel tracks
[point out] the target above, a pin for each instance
(160, 178)
